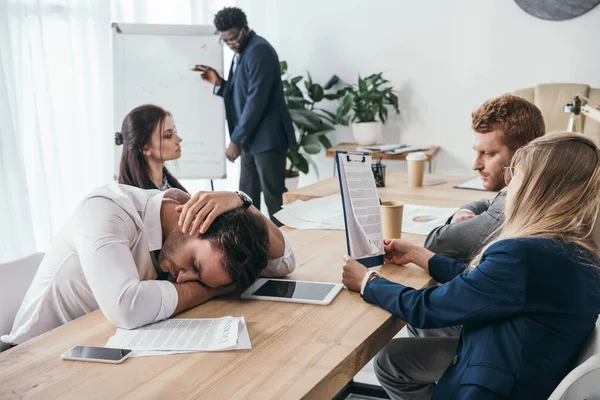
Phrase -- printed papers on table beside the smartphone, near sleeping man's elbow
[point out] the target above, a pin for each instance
(183, 335)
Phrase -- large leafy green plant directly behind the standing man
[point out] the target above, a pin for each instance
(312, 123)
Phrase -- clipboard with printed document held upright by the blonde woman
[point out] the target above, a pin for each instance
(360, 202)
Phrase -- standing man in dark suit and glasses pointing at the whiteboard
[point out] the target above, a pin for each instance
(259, 122)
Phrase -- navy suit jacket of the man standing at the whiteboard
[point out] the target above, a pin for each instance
(257, 115)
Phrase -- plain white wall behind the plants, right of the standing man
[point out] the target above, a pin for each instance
(444, 57)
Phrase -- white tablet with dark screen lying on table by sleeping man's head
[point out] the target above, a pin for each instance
(292, 291)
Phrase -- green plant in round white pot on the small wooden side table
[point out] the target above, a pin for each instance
(367, 103)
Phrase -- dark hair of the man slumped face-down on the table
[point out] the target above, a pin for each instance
(243, 239)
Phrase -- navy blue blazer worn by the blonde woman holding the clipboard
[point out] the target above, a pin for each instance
(526, 310)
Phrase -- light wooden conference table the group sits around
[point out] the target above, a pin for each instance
(299, 350)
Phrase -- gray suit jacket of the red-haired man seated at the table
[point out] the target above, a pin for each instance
(461, 241)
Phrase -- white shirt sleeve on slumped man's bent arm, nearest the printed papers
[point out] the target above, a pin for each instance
(103, 246)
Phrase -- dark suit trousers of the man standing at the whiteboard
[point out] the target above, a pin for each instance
(264, 172)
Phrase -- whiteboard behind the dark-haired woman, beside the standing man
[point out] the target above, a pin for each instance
(151, 64)
